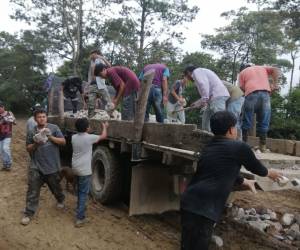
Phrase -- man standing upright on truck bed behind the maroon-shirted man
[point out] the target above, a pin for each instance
(97, 87)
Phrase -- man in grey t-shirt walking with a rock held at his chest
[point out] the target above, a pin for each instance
(43, 145)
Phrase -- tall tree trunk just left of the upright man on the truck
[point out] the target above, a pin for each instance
(78, 50)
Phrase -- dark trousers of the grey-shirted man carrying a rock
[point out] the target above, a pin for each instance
(35, 181)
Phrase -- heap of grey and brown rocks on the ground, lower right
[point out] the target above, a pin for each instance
(284, 228)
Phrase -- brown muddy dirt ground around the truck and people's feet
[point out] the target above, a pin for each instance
(110, 227)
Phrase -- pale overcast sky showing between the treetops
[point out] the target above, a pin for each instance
(207, 20)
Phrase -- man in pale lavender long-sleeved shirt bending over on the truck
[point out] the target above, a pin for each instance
(212, 91)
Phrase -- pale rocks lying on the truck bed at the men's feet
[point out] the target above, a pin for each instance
(100, 115)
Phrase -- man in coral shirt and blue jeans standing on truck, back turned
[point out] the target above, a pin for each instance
(254, 81)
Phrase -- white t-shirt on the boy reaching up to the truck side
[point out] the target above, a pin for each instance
(82, 144)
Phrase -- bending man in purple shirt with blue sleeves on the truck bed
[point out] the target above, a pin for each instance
(158, 95)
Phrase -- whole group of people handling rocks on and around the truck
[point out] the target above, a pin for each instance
(218, 169)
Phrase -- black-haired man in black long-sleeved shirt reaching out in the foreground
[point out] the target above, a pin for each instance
(218, 170)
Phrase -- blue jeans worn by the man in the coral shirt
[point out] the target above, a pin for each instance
(257, 102)
